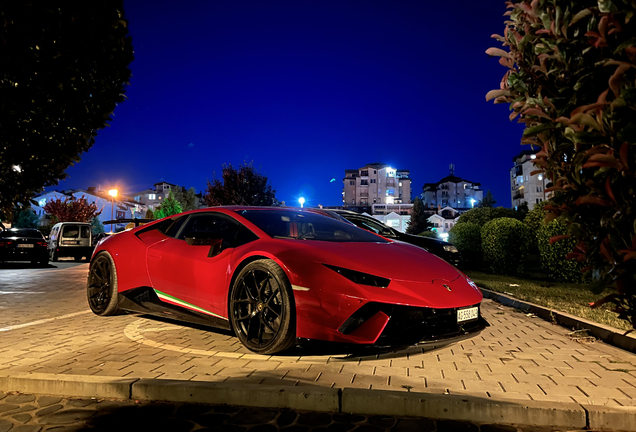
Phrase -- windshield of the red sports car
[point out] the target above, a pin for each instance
(306, 226)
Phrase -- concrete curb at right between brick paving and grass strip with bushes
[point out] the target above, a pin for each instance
(607, 334)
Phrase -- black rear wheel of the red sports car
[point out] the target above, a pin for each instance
(101, 287)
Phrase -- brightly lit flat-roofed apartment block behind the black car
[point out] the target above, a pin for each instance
(375, 184)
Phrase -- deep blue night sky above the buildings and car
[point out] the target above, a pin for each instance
(305, 89)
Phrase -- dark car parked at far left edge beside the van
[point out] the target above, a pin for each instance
(23, 244)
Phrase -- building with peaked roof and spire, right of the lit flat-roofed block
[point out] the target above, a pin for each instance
(452, 191)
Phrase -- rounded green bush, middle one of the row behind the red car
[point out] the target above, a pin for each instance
(504, 242)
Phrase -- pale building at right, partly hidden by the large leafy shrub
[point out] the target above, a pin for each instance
(524, 186)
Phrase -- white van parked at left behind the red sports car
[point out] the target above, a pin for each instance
(70, 239)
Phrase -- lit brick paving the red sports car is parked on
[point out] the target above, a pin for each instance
(46, 327)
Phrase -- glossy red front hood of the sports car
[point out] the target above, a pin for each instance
(395, 260)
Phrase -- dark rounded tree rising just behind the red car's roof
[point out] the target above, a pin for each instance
(244, 186)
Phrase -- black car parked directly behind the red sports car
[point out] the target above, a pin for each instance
(441, 248)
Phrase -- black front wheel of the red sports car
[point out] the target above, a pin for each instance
(261, 308)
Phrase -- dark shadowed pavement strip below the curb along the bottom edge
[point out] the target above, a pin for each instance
(37, 413)
